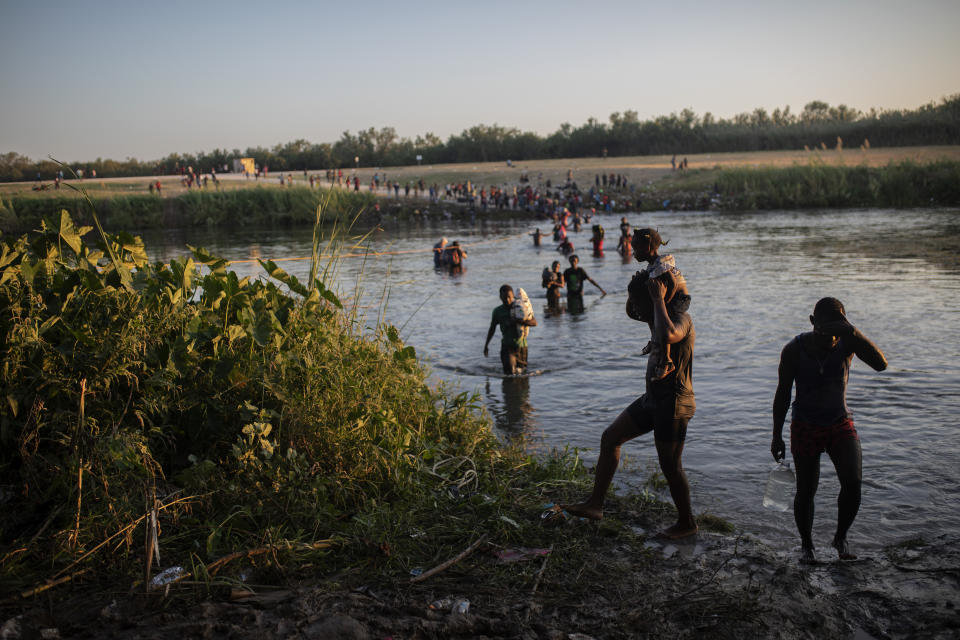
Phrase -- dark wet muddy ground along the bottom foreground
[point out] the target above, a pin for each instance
(626, 586)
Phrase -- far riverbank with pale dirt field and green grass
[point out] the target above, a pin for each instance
(912, 177)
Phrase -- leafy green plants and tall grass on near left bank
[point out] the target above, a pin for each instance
(232, 412)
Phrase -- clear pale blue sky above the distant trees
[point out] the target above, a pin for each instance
(140, 79)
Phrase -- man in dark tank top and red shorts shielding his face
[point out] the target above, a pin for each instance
(819, 363)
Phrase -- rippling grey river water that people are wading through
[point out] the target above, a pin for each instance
(754, 279)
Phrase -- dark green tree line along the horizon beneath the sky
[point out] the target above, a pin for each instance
(818, 124)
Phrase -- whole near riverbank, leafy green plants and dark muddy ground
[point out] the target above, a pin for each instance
(322, 497)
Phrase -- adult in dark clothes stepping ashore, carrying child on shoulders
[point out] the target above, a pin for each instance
(665, 409)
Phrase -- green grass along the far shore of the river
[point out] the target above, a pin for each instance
(730, 185)
